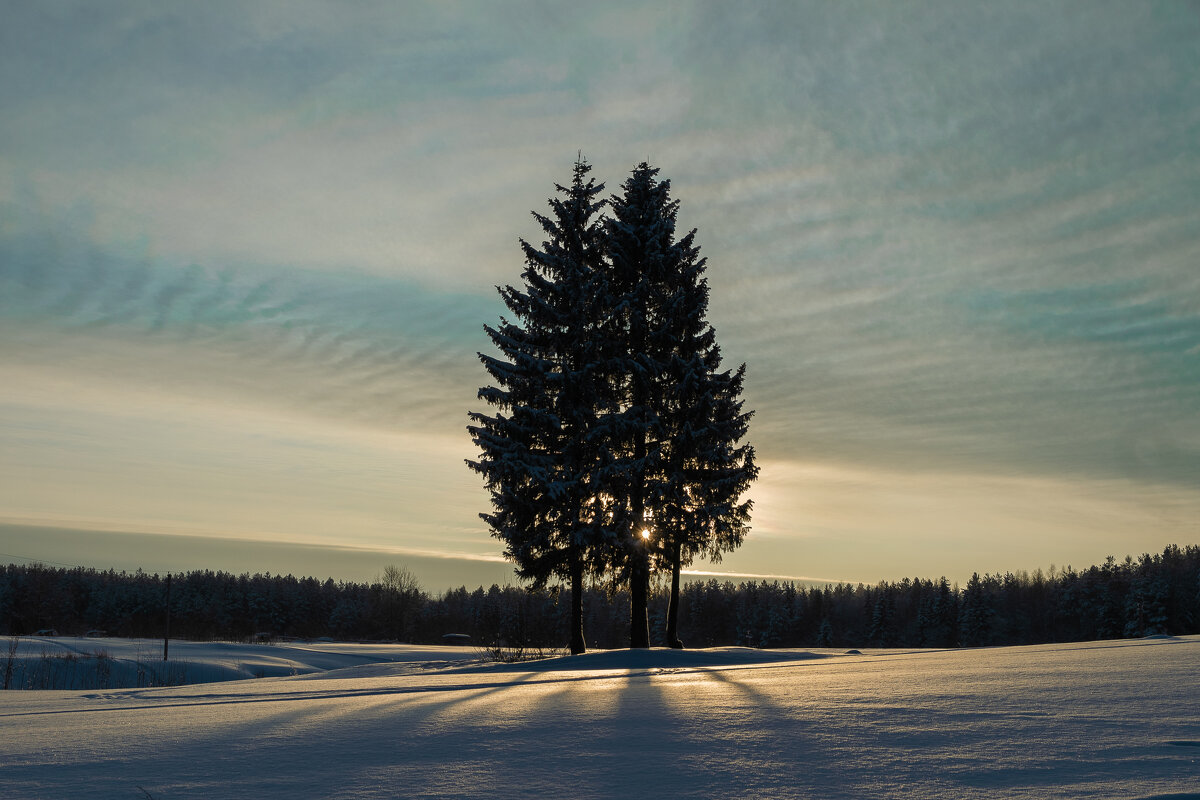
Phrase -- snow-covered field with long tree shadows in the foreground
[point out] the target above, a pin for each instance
(1095, 720)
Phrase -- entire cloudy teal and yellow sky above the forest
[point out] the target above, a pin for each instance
(248, 252)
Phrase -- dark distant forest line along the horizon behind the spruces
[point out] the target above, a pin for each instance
(1151, 596)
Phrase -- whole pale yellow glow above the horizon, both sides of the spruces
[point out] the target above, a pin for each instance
(147, 461)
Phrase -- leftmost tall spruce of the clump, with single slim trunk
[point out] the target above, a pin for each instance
(543, 454)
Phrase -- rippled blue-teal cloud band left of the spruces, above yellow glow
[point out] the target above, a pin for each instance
(386, 352)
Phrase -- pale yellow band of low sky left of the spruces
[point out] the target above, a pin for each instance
(154, 462)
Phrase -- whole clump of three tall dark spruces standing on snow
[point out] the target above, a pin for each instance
(616, 443)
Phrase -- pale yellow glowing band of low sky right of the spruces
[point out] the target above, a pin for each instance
(933, 524)
